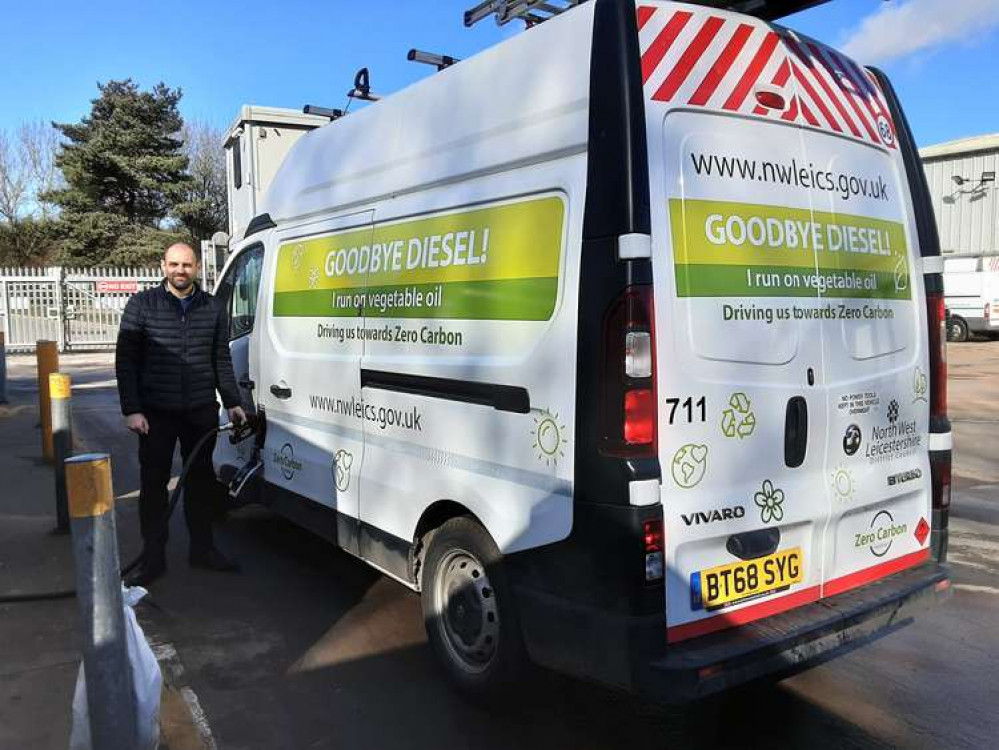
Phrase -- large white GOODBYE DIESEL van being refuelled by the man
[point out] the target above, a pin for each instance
(621, 343)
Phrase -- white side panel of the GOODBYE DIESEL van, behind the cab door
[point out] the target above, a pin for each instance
(457, 302)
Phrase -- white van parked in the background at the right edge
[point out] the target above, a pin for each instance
(971, 293)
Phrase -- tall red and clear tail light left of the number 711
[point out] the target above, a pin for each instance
(629, 410)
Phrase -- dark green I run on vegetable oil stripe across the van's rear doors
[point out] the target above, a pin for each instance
(712, 280)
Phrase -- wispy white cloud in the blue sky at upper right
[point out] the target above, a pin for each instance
(901, 29)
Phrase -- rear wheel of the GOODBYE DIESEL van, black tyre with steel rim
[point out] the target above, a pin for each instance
(468, 611)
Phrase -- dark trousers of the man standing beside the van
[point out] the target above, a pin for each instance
(155, 462)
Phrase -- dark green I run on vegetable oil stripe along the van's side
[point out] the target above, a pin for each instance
(504, 299)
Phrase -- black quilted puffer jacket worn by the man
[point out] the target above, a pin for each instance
(169, 361)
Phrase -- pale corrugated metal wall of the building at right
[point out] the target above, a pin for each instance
(967, 215)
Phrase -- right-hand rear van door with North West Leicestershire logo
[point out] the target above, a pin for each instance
(875, 357)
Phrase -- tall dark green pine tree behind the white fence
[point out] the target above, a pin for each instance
(124, 169)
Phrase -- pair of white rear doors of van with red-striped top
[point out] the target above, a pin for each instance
(776, 302)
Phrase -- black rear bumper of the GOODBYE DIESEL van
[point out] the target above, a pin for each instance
(631, 652)
